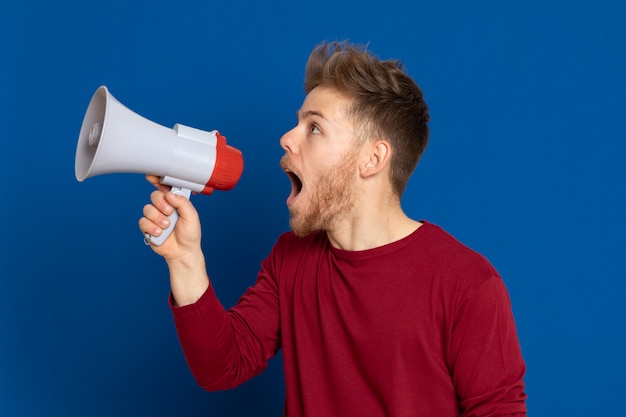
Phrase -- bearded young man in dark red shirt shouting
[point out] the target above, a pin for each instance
(377, 314)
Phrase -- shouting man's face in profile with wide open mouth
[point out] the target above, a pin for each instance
(321, 161)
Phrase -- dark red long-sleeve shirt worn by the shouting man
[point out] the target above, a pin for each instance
(419, 327)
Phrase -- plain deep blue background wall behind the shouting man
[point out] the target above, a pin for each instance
(525, 165)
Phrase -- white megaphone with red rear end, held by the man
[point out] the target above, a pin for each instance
(113, 139)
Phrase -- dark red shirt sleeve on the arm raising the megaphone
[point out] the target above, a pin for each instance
(225, 348)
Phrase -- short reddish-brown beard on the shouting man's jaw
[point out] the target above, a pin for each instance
(332, 199)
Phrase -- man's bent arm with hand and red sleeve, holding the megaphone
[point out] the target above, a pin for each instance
(223, 349)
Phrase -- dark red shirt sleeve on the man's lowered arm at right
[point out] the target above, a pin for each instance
(486, 360)
